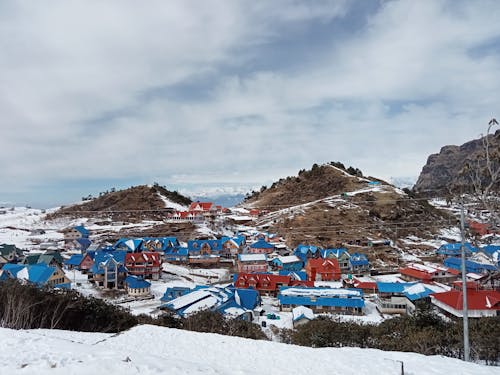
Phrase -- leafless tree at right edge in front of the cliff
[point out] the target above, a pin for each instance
(484, 173)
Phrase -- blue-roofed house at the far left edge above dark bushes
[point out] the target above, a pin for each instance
(39, 274)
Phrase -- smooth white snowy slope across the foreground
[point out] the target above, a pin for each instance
(157, 350)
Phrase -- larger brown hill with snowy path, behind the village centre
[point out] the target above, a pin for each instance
(330, 205)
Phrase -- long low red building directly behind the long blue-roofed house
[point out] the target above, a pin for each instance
(266, 283)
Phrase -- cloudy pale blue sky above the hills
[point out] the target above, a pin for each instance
(232, 95)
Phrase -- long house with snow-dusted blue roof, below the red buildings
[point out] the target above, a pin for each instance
(322, 300)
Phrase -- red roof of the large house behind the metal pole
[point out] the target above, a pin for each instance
(476, 299)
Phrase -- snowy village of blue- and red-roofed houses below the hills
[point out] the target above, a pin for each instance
(253, 275)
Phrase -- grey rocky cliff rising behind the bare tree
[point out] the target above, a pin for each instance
(444, 171)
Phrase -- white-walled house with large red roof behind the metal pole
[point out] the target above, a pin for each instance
(480, 302)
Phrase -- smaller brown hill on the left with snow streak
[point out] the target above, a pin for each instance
(142, 201)
